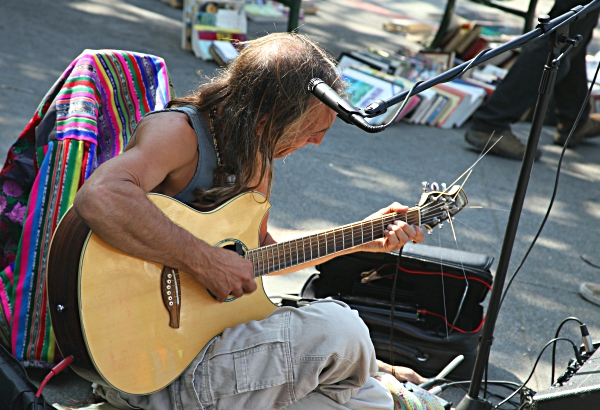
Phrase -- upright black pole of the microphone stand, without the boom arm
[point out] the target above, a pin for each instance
(472, 401)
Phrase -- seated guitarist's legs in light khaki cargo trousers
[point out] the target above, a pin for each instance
(322, 348)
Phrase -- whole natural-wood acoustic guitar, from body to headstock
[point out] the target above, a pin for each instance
(136, 325)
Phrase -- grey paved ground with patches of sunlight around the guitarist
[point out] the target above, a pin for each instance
(352, 173)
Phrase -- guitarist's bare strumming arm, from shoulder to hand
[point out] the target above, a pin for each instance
(114, 204)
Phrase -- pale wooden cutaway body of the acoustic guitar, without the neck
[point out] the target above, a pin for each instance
(108, 308)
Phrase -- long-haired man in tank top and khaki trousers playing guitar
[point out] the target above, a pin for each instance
(206, 149)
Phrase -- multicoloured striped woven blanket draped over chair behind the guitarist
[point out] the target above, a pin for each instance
(86, 118)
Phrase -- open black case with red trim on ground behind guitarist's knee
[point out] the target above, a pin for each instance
(438, 296)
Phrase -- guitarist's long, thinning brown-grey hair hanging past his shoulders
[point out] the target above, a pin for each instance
(267, 81)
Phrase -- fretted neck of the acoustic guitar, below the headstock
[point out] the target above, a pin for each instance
(283, 255)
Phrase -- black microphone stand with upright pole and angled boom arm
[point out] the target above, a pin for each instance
(557, 30)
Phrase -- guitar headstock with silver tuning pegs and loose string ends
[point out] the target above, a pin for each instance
(437, 206)
